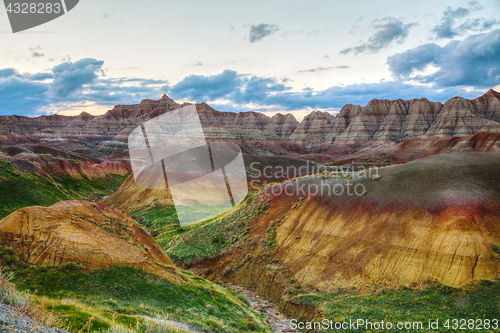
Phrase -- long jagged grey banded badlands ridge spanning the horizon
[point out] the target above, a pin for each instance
(379, 121)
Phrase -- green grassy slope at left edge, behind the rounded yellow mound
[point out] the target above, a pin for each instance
(20, 189)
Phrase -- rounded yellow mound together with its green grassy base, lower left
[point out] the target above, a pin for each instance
(97, 269)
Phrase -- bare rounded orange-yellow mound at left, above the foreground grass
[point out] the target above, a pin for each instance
(91, 234)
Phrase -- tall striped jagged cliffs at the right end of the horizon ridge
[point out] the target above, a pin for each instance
(400, 120)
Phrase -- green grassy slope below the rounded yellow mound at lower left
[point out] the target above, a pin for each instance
(126, 294)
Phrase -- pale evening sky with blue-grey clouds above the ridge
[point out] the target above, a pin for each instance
(255, 55)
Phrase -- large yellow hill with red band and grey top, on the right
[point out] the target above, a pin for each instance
(435, 218)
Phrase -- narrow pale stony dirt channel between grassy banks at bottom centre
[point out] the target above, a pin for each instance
(279, 321)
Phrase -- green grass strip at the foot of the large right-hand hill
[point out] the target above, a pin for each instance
(480, 301)
